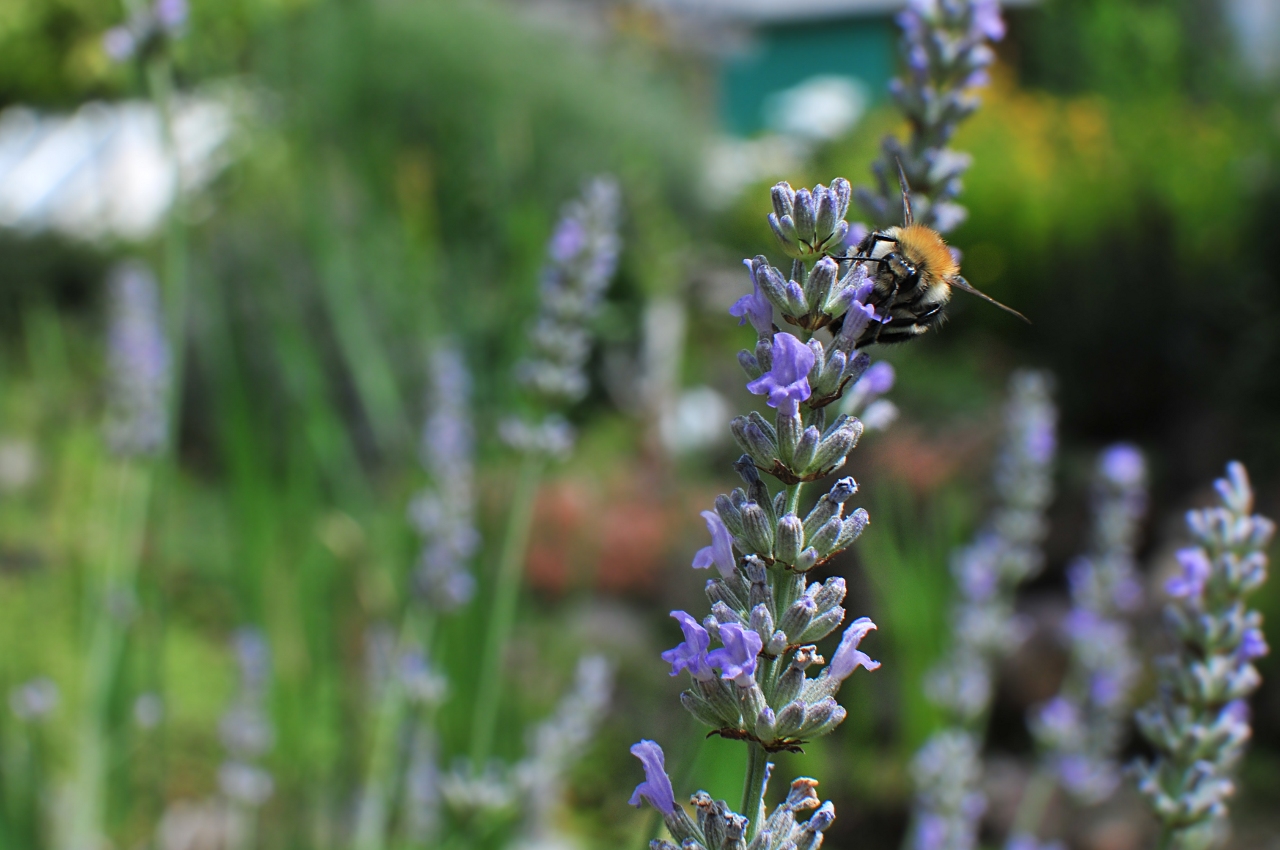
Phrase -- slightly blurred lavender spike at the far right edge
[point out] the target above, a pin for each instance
(1199, 723)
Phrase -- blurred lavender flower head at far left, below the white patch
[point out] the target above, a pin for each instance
(139, 363)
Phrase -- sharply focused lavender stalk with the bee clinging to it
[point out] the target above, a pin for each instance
(765, 614)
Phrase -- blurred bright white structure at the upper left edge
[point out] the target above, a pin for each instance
(106, 171)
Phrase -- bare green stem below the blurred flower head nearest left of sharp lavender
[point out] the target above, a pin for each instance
(504, 614)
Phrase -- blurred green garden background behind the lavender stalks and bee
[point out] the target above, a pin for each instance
(360, 181)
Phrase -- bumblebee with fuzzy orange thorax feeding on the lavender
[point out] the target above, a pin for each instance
(913, 272)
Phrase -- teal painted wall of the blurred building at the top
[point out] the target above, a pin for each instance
(785, 56)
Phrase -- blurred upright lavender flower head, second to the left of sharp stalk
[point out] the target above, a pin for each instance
(445, 514)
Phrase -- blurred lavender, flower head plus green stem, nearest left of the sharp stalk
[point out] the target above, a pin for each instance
(582, 261)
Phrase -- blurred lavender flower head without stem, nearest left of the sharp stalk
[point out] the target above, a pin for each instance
(582, 258)
